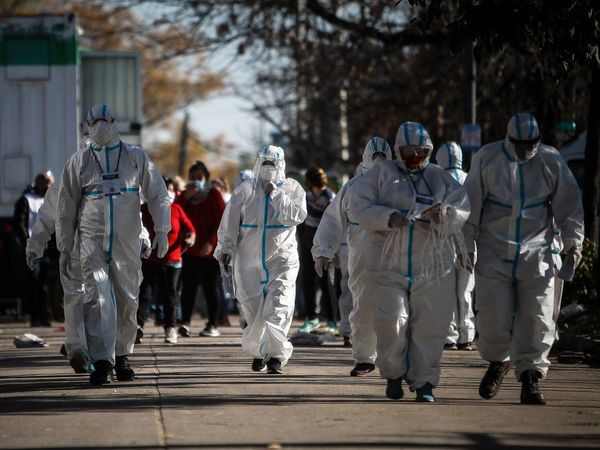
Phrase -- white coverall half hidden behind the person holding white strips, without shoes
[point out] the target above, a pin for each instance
(331, 239)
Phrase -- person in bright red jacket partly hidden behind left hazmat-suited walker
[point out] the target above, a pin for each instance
(163, 273)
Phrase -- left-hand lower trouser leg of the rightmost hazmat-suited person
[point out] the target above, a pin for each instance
(495, 312)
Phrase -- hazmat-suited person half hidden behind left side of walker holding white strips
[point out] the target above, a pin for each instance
(333, 237)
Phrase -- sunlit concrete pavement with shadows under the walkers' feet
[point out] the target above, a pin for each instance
(201, 393)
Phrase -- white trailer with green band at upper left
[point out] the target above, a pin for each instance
(38, 100)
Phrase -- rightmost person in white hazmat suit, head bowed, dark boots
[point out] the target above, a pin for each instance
(520, 191)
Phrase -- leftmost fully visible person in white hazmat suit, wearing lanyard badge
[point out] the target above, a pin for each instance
(99, 198)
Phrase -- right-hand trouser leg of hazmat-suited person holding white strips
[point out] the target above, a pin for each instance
(430, 312)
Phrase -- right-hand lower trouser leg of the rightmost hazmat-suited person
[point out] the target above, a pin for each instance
(534, 327)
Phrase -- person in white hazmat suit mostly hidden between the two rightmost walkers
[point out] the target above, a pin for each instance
(462, 328)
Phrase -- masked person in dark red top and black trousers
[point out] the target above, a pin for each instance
(204, 206)
